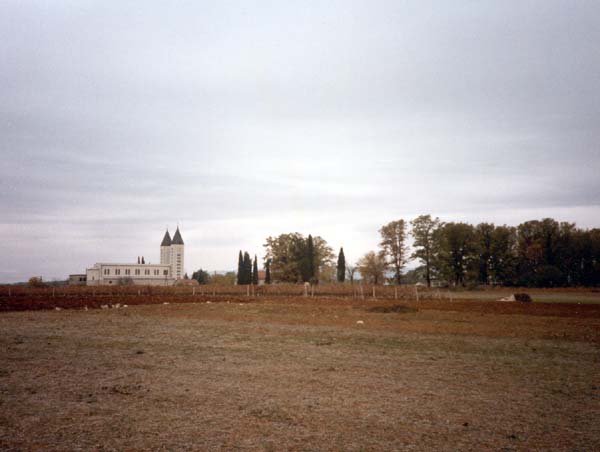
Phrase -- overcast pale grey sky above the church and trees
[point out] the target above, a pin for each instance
(239, 120)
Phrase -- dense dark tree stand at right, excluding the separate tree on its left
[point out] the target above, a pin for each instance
(537, 253)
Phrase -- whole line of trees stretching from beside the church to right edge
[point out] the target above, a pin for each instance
(537, 253)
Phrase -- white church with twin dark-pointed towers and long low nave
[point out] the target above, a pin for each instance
(166, 273)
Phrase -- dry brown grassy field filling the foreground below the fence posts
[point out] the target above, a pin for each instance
(302, 374)
